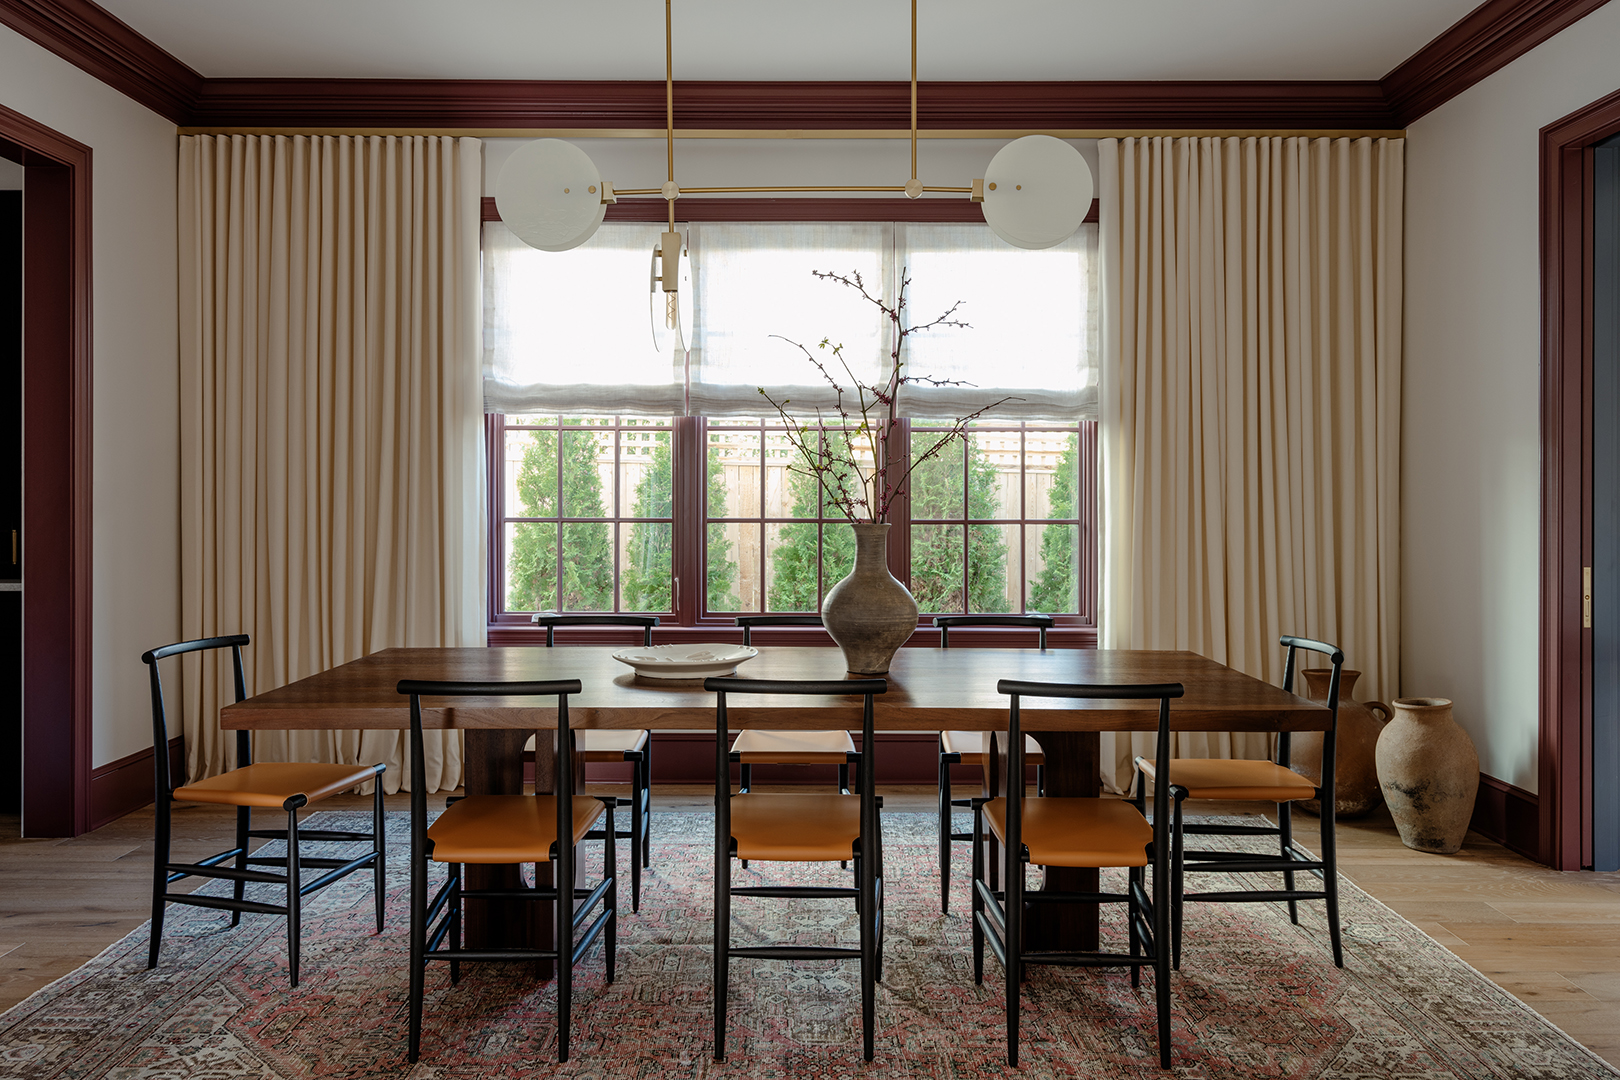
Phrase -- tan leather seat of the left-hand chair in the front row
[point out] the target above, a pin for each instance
(506, 828)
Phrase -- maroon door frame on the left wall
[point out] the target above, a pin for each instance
(56, 475)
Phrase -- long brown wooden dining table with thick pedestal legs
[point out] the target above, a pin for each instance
(929, 689)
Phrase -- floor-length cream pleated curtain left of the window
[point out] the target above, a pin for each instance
(331, 420)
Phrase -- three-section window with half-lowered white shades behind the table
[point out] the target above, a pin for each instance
(603, 501)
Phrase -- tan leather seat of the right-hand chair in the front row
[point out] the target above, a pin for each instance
(1078, 831)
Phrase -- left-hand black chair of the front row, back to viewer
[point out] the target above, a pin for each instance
(508, 830)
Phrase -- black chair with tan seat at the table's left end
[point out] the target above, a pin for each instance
(286, 786)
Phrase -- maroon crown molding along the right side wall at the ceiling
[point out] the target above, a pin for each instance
(1480, 45)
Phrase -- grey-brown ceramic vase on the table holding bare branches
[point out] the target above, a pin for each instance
(869, 614)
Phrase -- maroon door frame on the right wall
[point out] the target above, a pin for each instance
(1567, 478)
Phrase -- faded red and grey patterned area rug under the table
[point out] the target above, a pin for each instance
(1258, 998)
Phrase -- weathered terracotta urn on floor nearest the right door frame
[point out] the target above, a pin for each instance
(1430, 772)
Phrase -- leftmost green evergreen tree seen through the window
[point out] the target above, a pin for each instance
(587, 555)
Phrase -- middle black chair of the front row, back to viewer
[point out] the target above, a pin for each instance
(811, 828)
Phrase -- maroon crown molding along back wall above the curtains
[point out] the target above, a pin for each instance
(787, 106)
